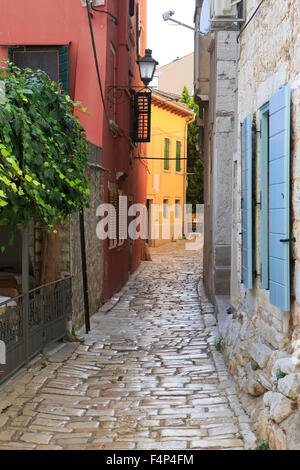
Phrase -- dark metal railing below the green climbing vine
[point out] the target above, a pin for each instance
(31, 321)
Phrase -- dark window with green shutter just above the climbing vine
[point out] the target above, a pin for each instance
(54, 60)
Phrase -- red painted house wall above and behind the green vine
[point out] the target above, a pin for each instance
(57, 22)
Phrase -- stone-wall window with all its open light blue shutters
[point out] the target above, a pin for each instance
(275, 235)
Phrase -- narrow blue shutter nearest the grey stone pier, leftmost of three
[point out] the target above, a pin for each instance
(247, 203)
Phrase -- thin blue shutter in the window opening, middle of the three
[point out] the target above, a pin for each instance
(264, 197)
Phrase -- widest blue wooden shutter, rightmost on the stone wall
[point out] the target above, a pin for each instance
(279, 198)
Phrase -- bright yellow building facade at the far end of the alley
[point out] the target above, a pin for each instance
(166, 159)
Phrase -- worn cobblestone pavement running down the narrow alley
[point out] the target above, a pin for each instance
(147, 376)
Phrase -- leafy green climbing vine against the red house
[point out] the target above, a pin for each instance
(43, 151)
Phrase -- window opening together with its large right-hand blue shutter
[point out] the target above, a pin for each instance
(275, 237)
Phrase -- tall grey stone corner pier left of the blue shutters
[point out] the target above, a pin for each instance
(218, 172)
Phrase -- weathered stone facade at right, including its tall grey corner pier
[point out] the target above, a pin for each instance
(260, 342)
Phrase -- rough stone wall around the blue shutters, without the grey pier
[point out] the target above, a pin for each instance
(260, 342)
